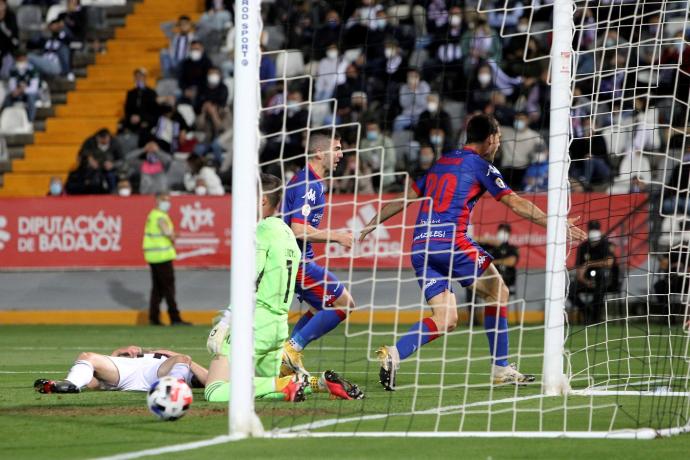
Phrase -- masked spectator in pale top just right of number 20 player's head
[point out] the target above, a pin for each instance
(517, 144)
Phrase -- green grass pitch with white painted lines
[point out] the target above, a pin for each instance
(94, 424)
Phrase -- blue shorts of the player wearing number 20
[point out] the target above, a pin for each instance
(436, 269)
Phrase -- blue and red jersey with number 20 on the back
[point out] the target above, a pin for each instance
(454, 184)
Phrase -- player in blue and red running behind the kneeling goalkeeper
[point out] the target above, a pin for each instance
(303, 211)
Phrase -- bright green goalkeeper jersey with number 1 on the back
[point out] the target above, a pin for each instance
(277, 262)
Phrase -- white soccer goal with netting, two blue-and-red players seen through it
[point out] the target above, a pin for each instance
(591, 97)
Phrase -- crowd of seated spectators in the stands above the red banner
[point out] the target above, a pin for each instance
(402, 75)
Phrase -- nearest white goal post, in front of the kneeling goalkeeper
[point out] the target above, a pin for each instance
(243, 420)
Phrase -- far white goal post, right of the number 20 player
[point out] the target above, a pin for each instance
(554, 380)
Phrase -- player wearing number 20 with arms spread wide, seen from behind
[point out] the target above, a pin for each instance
(442, 250)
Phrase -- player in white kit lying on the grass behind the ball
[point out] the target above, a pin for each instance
(129, 368)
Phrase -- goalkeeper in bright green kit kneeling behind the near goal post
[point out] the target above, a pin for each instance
(277, 260)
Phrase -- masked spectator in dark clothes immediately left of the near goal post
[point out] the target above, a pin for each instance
(212, 105)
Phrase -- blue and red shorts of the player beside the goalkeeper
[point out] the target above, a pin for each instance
(317, 286)
